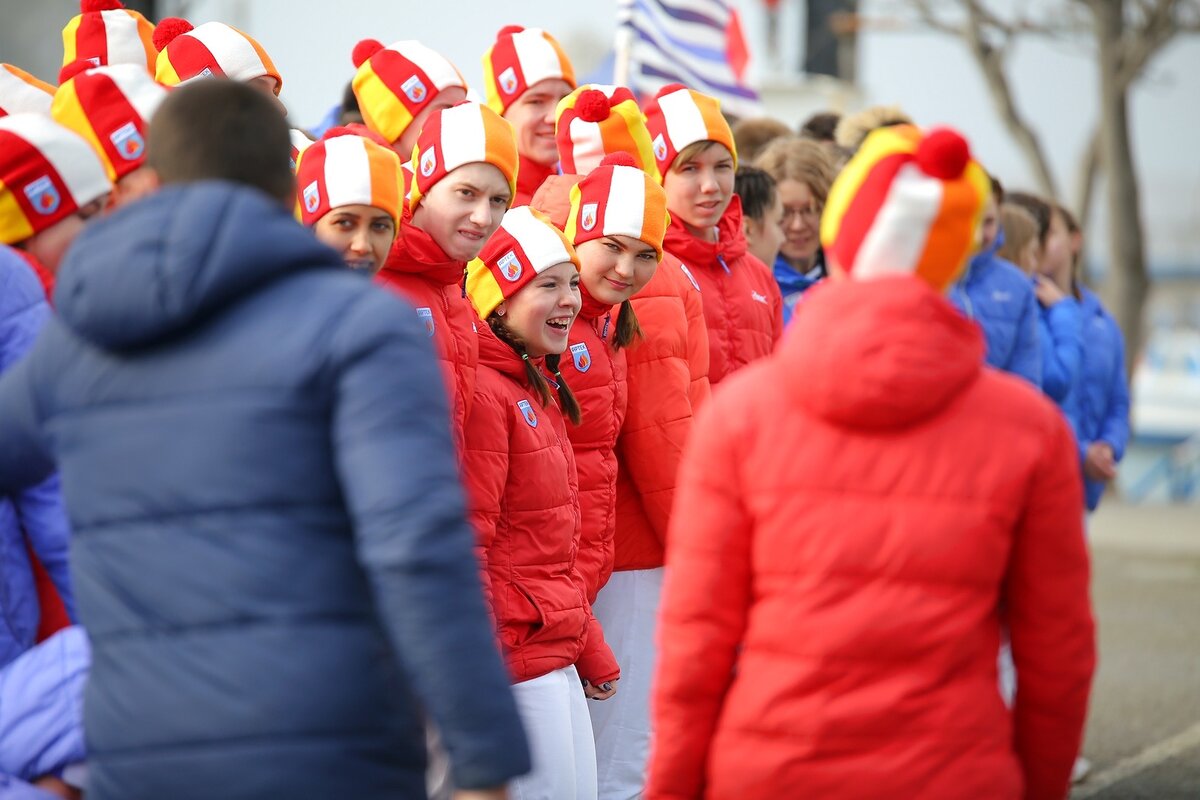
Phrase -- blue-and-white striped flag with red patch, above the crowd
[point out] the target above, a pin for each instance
(695, 43)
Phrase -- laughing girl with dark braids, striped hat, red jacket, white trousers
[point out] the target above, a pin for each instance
(520, 473)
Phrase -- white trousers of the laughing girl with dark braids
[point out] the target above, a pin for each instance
(555, 714)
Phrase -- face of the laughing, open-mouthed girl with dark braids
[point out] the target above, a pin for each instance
(541, 315)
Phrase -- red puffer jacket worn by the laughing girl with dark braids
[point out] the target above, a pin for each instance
(520, 476)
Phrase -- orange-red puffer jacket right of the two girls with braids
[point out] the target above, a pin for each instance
(668, 384)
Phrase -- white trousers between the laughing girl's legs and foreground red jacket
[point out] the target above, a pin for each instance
(628, 609)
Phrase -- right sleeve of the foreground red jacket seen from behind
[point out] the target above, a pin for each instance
(1051, 622)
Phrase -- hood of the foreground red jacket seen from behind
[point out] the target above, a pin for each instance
(878, 354)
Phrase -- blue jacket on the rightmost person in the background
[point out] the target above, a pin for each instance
(1099, 404)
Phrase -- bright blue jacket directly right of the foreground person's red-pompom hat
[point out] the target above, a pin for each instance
(999, 297)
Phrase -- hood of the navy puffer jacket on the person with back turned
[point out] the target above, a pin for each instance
(167, 262)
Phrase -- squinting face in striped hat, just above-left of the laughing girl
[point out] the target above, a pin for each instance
(464, 209)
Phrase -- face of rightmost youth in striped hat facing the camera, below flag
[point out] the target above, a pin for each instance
(700, 188)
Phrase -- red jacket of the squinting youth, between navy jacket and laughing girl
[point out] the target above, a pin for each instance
(424, 275)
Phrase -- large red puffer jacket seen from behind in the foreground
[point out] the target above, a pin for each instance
(857, 520)
